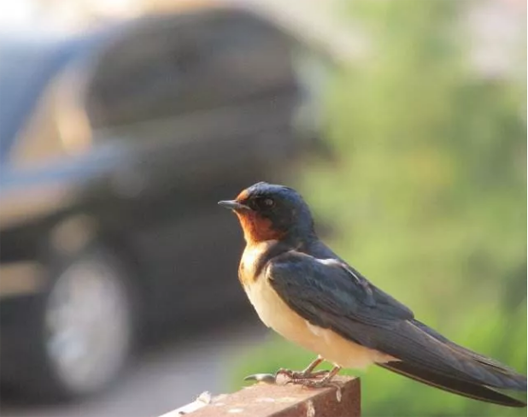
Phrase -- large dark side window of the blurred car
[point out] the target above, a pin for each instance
(176, 66)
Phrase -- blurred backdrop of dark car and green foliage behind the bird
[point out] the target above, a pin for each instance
(123, 122)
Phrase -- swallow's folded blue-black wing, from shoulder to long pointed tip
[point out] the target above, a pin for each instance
(332, 295)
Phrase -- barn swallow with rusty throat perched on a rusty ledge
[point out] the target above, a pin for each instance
(309, 295)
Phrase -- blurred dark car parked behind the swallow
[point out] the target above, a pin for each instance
(115, 146)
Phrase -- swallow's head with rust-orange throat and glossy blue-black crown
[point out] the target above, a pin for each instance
(271, 212)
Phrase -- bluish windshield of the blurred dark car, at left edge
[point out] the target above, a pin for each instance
(25, 70)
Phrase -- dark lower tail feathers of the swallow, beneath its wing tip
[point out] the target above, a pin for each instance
(452, 384)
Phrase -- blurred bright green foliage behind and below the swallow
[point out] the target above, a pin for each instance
(427, 197)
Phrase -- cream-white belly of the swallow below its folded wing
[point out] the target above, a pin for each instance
(276, 314)
